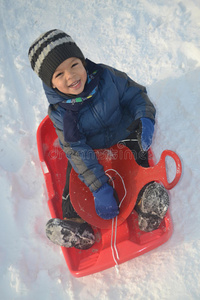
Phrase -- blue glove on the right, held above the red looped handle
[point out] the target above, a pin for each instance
(146, 133)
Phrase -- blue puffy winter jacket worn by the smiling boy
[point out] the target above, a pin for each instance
(109, 117)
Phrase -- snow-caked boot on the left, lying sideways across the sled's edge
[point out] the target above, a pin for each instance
(70, 233)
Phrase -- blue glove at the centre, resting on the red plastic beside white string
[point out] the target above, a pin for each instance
(105, 202)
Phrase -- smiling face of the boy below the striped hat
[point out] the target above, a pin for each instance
(70, 76)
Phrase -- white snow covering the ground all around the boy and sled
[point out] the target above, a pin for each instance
(158, 44)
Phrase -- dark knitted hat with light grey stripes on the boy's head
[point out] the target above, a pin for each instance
(49, 50)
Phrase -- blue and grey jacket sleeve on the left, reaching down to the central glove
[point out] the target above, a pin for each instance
(80, 155)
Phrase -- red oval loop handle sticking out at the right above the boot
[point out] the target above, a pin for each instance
(162, 166)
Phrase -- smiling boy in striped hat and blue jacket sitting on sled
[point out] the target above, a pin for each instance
(94, 106)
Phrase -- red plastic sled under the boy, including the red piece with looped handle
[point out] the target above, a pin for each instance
(117, 240)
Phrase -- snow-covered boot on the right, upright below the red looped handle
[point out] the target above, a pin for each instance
(152, 206)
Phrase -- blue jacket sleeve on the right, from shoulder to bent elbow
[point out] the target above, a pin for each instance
(132, 95)
